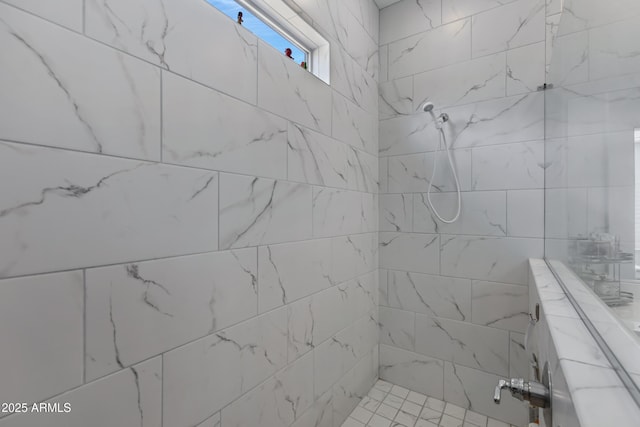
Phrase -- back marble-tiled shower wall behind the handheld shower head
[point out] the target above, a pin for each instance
(454, 296)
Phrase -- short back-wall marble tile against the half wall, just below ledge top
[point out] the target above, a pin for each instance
(500, 305)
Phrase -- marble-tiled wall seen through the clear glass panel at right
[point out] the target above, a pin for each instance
(592, 114)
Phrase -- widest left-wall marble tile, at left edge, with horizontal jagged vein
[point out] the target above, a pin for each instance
(107, 210)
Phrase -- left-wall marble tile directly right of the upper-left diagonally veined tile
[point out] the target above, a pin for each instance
(206, 129)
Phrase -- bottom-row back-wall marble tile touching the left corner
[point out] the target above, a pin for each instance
(411, 370)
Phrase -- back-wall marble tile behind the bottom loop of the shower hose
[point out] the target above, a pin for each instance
(481, 213)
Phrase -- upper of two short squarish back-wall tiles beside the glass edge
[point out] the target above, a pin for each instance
(525, 69)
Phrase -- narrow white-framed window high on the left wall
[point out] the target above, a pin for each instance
(277, 24)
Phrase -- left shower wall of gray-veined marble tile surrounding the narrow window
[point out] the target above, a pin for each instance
(188, 220)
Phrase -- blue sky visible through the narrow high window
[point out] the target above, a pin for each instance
(259, 28)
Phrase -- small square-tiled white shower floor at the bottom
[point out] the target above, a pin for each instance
(389, 405)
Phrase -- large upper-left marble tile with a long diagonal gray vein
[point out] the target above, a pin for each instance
(43, 61)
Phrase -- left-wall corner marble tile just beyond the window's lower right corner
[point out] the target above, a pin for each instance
(353, 125)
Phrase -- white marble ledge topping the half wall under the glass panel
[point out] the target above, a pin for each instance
(599, 396)
